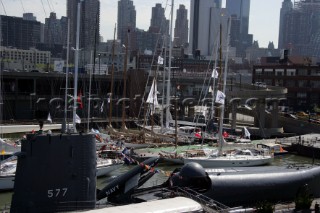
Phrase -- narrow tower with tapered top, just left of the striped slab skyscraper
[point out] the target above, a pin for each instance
(181, 27)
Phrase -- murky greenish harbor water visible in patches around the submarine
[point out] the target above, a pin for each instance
(160, 177)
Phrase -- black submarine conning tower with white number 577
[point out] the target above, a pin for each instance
(55, 173)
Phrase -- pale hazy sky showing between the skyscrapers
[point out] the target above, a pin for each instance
(263, 23)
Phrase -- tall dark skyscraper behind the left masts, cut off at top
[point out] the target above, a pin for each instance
(90, 26)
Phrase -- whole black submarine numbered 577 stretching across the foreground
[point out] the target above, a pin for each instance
(56, 173)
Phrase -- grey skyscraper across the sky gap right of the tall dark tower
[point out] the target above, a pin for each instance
(126, 19)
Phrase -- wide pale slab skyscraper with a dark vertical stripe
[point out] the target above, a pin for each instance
(200, 20)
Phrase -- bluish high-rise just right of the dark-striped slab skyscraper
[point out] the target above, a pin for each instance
(239, 10)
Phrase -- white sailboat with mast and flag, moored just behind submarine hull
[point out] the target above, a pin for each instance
(237, 158)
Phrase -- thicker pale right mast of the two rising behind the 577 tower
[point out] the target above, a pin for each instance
(76, 65)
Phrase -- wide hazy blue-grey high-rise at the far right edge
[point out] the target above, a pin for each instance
(301, 26)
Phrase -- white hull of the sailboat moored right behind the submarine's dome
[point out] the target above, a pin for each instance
(230, 161)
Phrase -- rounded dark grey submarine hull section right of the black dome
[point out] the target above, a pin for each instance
(251, 185)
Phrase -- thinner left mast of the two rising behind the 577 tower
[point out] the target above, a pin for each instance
(64, 124)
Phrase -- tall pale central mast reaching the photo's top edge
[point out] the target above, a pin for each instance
(169, 71)
